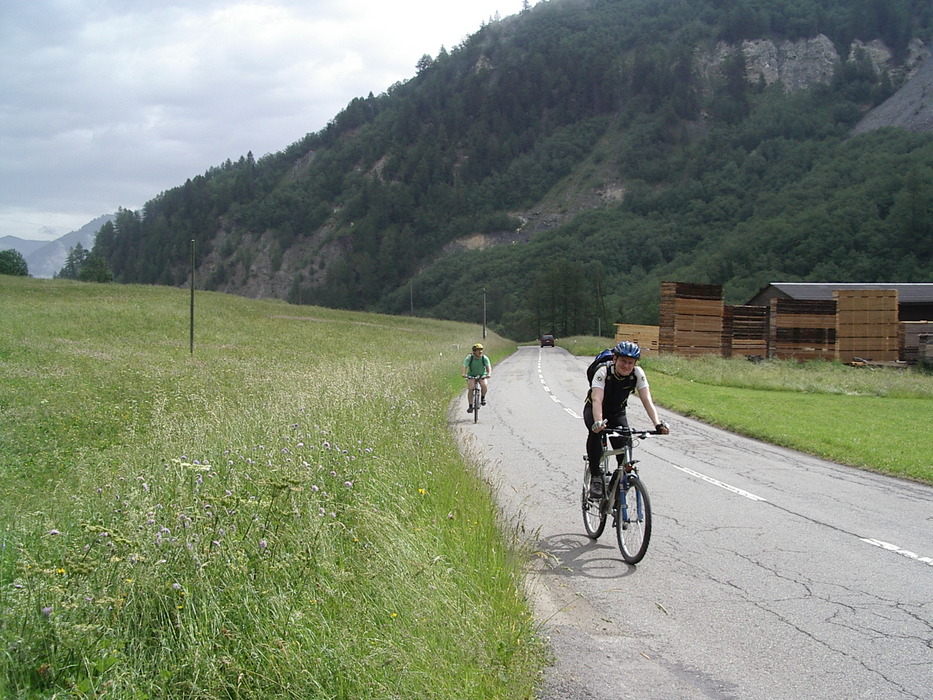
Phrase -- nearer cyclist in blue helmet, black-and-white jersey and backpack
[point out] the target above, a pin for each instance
(606, 401)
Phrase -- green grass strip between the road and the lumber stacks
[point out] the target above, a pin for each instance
(874, 418)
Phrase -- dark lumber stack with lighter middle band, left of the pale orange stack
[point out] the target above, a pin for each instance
(802, 329)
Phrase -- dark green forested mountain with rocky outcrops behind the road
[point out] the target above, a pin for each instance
(568, 159)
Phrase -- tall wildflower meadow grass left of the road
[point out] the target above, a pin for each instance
(281, 514)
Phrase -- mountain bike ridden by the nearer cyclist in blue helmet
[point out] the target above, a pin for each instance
(624, 496)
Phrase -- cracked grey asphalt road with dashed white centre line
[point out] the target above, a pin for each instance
(770, 574)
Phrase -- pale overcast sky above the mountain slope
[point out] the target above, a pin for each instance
(107, 103)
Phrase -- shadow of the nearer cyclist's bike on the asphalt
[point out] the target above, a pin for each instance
(573, 554)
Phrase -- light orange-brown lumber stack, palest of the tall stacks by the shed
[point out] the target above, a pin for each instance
(866, 325)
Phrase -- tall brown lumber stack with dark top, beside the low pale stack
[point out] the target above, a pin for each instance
(690, 319)
